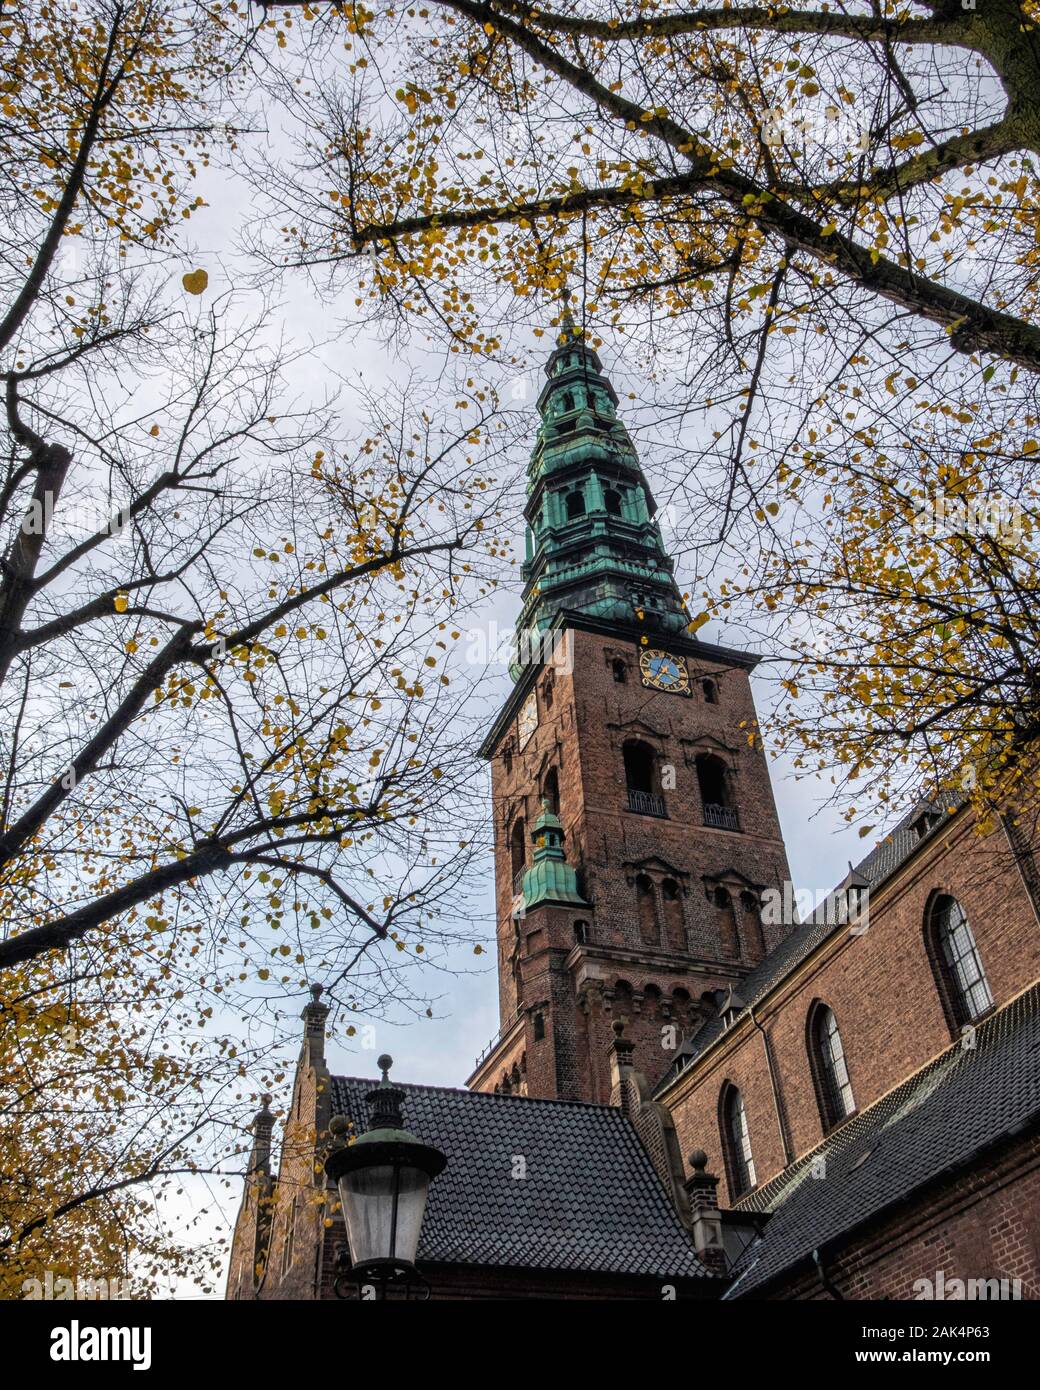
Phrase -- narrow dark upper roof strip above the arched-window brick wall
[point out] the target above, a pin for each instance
(884, 860)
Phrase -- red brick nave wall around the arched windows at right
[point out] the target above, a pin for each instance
(882, 990)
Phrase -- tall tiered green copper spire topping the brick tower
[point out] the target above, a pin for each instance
(593, 544)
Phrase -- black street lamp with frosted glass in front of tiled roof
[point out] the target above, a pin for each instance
(383, 1178)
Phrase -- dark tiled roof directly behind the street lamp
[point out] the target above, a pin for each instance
(590, 1199)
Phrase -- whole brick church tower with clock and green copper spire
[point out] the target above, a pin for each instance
(635, 821)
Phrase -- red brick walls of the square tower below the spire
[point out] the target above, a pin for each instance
(658, 985)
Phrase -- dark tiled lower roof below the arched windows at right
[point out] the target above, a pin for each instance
(932, 1124)
